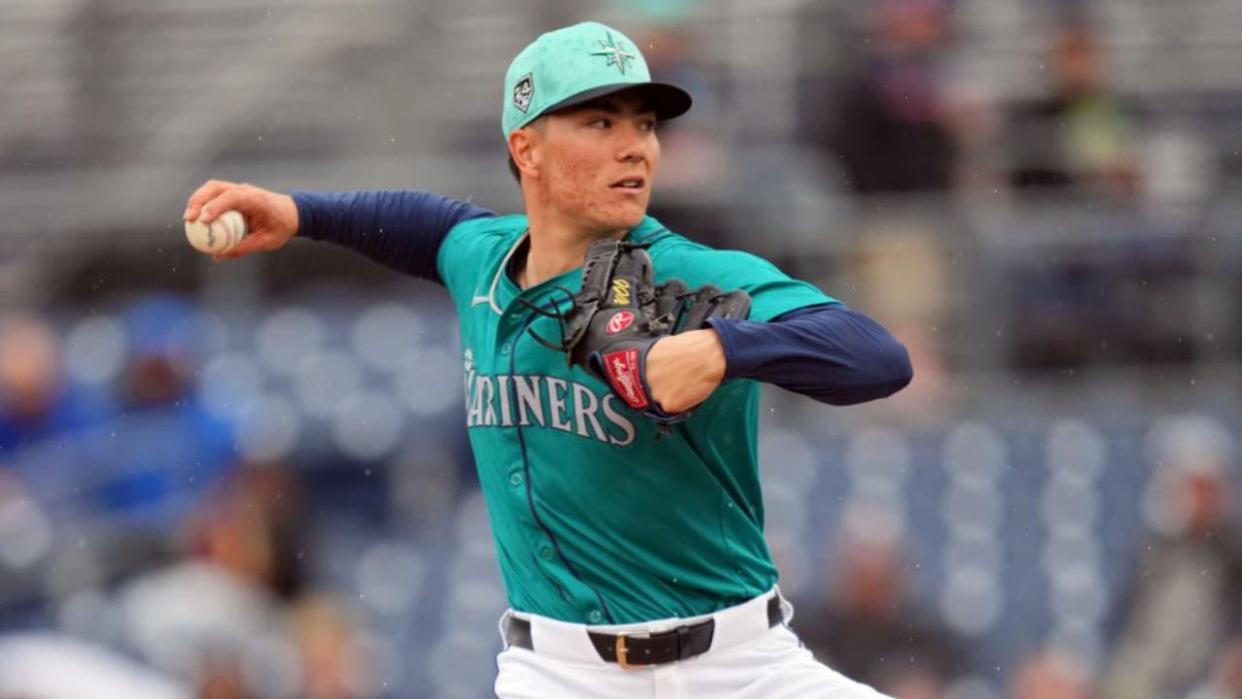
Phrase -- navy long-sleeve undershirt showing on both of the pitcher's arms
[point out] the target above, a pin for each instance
(829, 353)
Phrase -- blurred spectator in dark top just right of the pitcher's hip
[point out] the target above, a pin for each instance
(870, 628)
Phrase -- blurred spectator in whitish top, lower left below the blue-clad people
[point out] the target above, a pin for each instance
(253, 630)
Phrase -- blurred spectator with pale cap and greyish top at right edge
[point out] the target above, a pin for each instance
(1188, 588)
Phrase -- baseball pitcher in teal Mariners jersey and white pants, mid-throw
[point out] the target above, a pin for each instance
(612, 386)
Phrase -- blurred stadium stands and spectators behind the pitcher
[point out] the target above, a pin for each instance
(252, 480)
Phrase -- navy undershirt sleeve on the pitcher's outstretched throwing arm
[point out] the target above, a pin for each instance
(399, 229)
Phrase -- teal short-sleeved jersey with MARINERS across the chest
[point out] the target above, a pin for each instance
(594, 520)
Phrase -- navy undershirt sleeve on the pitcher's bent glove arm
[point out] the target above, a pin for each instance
(828, 352)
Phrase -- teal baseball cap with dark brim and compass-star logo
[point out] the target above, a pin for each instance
(578, 64)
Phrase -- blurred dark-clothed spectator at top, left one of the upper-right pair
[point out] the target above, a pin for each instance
(892, 125)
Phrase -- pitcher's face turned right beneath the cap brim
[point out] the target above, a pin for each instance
(601, 162)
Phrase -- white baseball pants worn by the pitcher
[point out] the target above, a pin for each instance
(747, 661)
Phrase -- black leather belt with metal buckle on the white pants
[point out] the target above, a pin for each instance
(649, 650)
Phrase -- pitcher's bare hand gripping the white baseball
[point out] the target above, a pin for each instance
(271, 218)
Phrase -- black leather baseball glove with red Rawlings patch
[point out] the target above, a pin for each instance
(619, 315)
